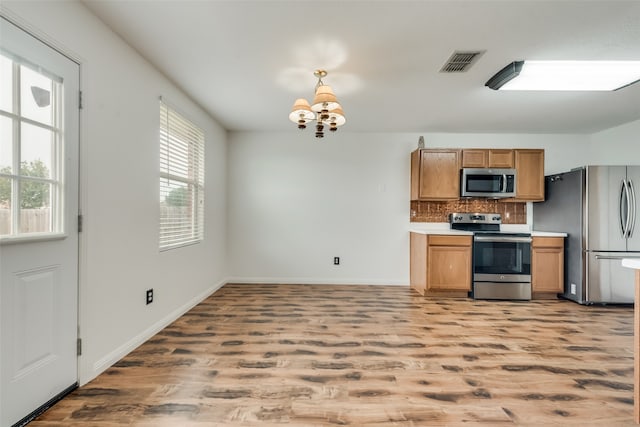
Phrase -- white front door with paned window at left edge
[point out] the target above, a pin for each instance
(39, 139)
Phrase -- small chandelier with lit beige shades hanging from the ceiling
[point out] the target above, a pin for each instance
(325, 110)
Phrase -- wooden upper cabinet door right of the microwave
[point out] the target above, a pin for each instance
(529, 165)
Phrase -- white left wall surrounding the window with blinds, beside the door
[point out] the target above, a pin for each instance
(119, 195)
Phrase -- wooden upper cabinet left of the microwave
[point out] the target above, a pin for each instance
(435, 174)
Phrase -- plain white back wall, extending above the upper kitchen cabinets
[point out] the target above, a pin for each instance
(295, 202)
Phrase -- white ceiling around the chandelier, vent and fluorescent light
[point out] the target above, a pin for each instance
(246, 61)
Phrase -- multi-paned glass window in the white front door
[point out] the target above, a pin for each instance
(30, 149)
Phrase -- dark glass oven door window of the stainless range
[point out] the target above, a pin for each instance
(502, 258)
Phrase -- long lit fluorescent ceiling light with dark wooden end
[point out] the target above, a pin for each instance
(566, 75)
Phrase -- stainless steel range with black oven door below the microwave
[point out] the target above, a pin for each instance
(501, 261)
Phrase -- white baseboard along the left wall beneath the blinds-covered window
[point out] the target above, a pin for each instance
(111, 358)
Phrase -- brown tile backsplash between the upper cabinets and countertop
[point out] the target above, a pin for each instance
(428, 211)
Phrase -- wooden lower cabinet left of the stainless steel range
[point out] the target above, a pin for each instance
(440, 264)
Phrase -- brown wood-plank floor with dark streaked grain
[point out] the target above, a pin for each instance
(367, 355)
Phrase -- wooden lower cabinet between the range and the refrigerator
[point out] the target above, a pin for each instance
(547, 267)
